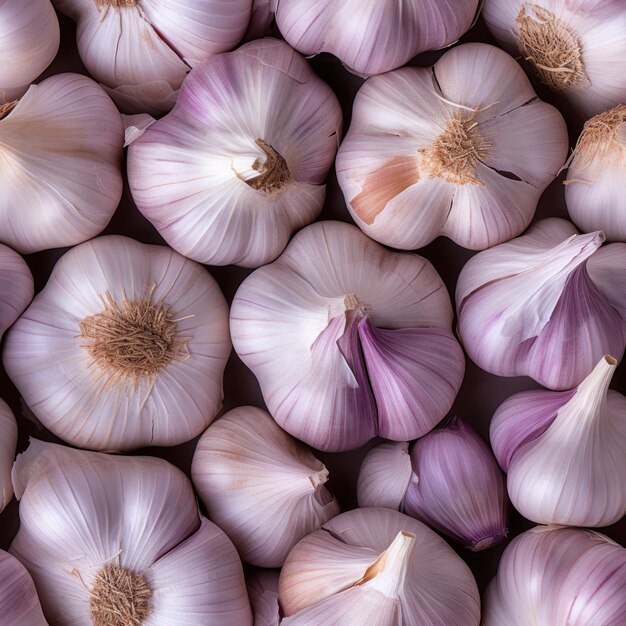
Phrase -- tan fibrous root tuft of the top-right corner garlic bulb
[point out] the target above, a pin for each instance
(551, 47)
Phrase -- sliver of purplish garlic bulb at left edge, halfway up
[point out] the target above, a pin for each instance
(16, 287)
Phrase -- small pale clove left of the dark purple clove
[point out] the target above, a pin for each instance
(384, 475)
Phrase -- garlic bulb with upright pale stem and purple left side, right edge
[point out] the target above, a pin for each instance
(565, 453)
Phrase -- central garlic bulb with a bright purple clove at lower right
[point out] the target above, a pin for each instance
(348, 340)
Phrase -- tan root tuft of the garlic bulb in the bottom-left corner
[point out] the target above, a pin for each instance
(119, 597)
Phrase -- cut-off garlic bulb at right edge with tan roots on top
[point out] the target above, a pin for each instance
(595, 191)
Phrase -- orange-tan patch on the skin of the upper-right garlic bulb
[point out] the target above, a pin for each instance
(383, 185)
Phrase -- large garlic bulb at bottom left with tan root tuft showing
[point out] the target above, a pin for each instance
(119, 541)
